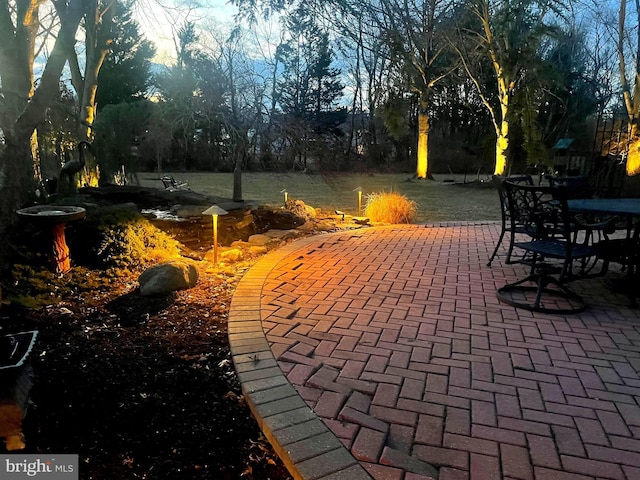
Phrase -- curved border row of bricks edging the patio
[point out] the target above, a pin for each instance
(309, 450)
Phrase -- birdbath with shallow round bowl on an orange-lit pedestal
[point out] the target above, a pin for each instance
(55, 217)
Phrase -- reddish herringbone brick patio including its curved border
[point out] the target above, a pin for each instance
(383, 353)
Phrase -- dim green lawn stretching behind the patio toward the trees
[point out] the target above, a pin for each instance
(437, 200)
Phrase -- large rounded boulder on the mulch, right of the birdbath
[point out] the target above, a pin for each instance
(167, 277)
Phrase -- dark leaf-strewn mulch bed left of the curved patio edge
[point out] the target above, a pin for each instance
(143, 388)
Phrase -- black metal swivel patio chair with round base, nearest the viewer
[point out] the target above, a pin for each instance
(551, 252)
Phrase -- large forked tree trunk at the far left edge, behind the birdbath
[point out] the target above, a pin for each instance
(23, 105)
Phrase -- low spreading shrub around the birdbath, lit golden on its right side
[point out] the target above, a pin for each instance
(107, 245)
